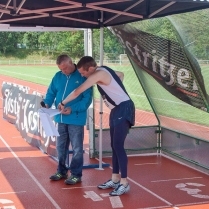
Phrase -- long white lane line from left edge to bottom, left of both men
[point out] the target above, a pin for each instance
(31, 175)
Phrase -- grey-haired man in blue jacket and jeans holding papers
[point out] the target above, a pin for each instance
(71, 122)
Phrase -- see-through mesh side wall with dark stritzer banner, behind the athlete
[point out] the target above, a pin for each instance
(169, 88)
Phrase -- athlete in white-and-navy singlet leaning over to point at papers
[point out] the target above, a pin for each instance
(122, 116)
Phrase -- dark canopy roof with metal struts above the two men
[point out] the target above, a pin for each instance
(90, 13)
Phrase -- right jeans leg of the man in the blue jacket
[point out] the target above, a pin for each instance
(76, 134)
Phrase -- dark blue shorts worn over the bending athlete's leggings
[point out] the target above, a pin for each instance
(124, 111)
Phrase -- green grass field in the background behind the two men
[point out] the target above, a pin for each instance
(161, 100)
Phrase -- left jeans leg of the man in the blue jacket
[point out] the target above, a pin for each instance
(62, 148)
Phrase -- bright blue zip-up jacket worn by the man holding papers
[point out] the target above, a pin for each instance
(59, 88)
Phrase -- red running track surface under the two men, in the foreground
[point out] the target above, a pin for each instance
(156, 181)
